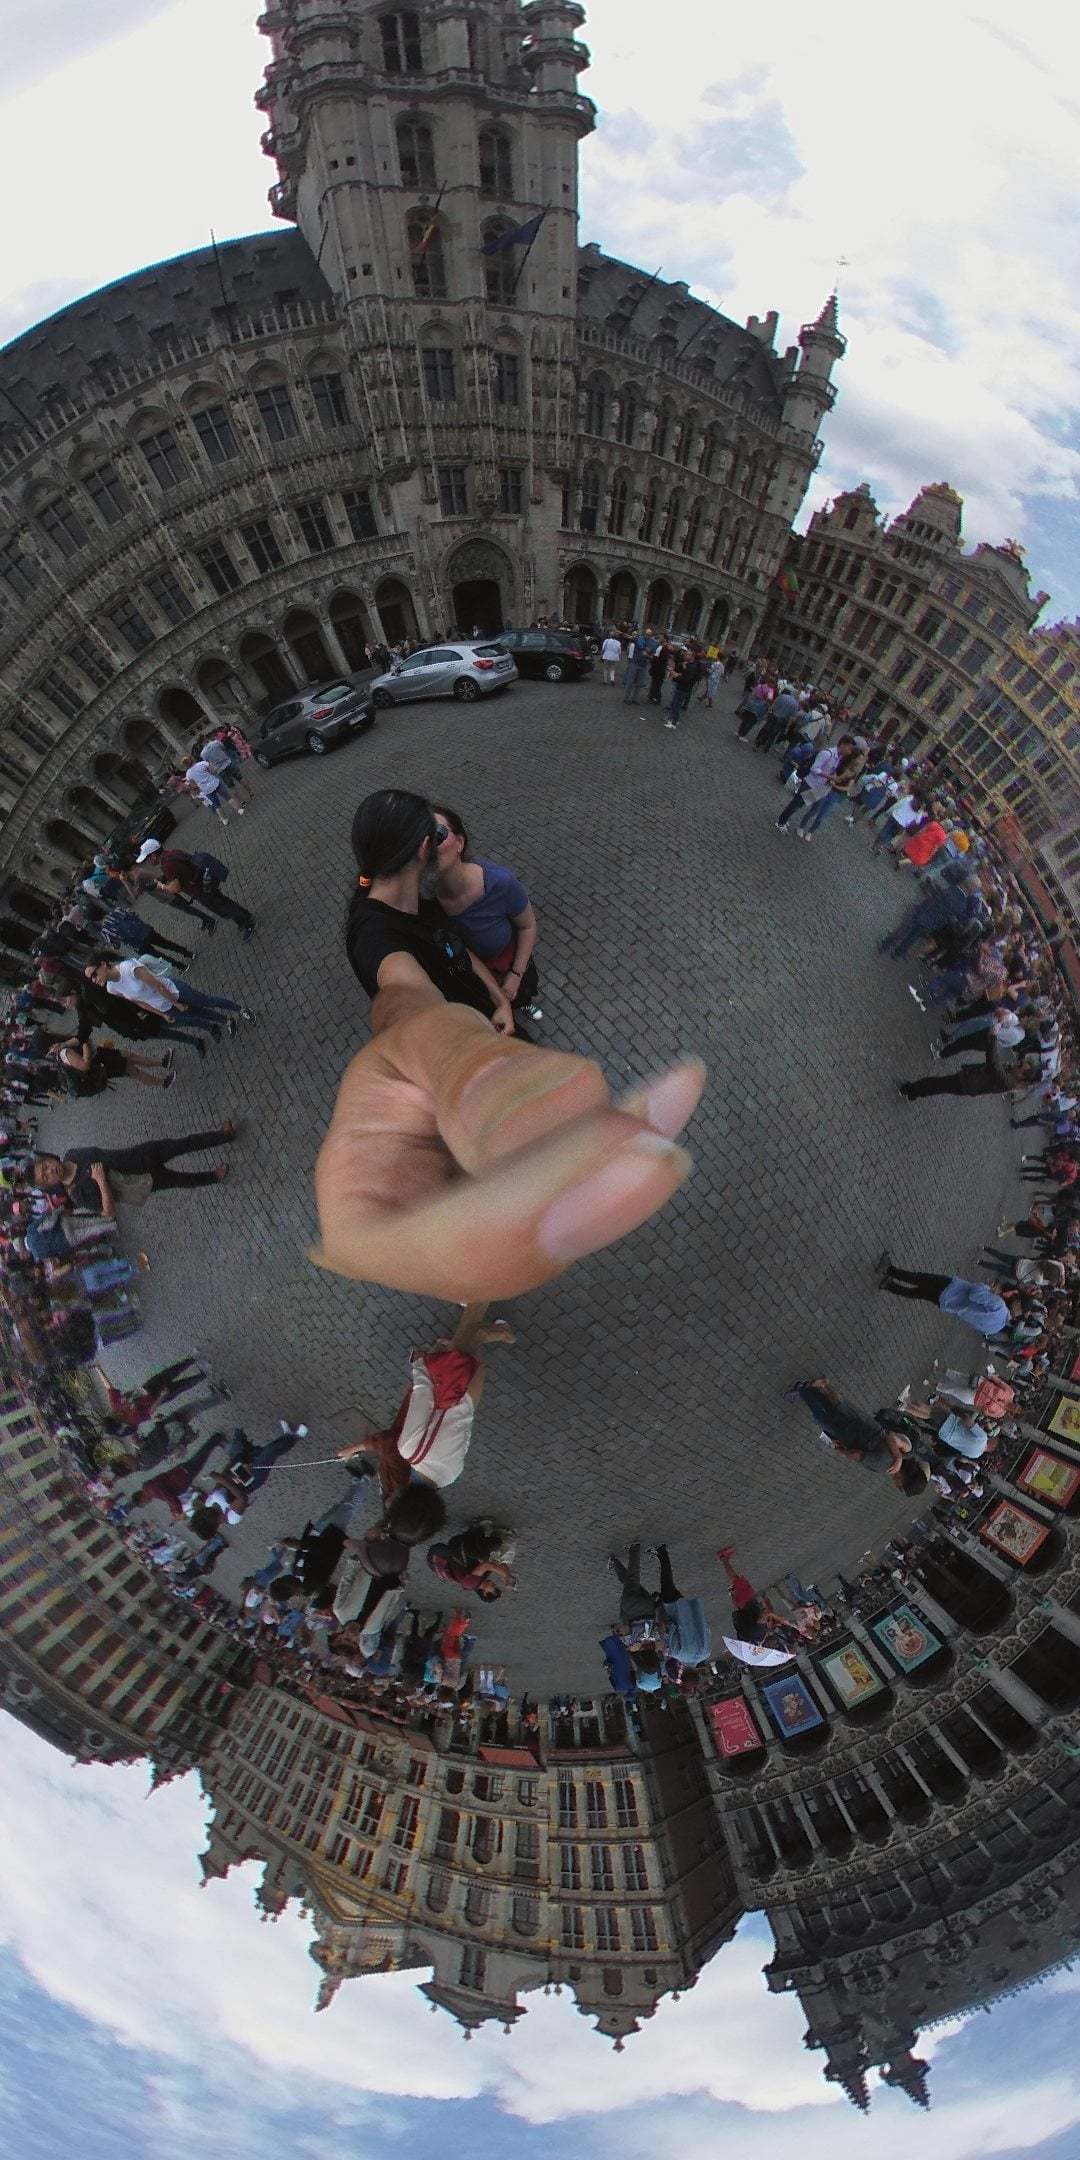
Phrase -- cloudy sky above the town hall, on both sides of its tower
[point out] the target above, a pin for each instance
(932, 148)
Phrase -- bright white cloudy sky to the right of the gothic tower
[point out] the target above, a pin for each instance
(932, 150)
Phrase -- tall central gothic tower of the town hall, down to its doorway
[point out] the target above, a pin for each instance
(409, 146)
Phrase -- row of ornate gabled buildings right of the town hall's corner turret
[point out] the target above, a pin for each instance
(939, 649)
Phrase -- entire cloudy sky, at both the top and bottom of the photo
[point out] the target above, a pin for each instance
(746, 152)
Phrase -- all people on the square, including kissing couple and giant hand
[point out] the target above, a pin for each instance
(455, 1135)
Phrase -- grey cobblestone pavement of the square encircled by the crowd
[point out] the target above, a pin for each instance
(645, 1396)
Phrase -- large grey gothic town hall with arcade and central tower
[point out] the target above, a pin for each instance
(228, 472)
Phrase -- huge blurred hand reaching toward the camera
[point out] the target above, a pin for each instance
(465, 1167)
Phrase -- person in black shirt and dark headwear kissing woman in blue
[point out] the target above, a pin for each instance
(396, 934)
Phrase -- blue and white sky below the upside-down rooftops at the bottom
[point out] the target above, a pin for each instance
(178, 2027)
